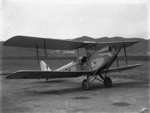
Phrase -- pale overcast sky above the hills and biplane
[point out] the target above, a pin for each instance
(67, 19)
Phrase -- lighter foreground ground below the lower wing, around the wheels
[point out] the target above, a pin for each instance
(66, 96)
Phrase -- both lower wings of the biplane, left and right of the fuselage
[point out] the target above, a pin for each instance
(29, 74)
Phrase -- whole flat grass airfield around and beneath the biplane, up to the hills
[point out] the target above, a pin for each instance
(129, 93)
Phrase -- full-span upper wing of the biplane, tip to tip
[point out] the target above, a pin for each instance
(33, 42)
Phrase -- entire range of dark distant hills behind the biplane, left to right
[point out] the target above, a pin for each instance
(139, 49)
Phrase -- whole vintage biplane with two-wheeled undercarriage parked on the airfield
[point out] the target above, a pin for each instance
(94, 65)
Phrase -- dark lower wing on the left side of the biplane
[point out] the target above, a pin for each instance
(44, 74)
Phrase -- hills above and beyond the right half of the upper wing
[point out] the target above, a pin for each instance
(140, 48)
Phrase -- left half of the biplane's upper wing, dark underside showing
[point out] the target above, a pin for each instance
(33, 42)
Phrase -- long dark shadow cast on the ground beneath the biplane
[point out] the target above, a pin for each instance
(95, 87)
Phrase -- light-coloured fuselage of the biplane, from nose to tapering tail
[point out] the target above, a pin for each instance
(99, 60)
